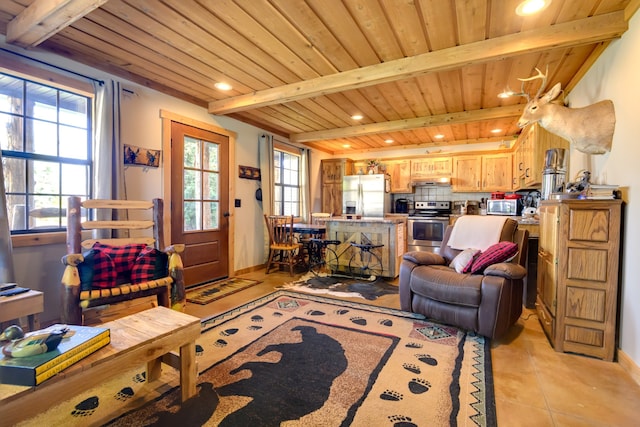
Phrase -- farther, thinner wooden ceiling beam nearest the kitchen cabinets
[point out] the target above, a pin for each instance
(408, 124)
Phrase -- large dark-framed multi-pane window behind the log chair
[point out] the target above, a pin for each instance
(45, 137)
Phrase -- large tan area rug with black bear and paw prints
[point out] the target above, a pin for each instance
(292, 359)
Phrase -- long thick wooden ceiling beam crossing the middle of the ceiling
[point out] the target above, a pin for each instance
(588, 30)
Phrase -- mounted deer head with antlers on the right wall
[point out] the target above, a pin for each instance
(588, 129)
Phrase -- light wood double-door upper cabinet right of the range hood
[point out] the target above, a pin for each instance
(488, 172)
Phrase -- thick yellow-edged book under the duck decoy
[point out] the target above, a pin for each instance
(75, 346)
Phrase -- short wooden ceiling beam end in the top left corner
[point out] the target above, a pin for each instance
(44, 18)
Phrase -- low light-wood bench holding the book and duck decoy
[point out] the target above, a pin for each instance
(142, 337)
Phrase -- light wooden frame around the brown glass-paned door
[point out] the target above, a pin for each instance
(169, 117)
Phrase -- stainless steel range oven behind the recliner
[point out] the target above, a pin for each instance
(426, 226)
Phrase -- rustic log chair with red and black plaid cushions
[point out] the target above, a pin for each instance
(124, 265)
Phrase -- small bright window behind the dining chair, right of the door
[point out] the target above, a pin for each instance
(287, 182)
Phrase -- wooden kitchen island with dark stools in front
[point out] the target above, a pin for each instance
(388, 231)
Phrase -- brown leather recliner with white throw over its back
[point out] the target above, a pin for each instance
(487, 303)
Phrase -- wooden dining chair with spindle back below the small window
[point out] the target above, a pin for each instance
(283, 250)
